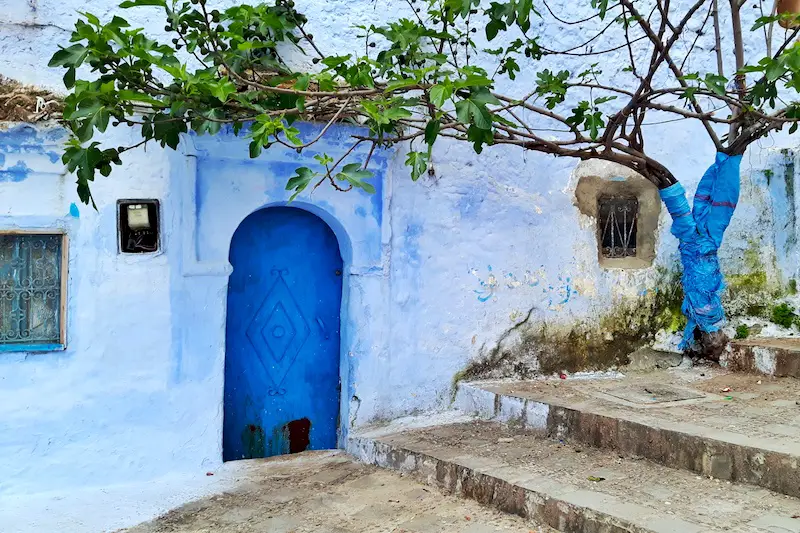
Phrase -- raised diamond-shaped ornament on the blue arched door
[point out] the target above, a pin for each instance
(277, 332)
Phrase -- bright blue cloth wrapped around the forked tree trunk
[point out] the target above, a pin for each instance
(700, 232)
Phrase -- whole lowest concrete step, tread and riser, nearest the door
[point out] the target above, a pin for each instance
(569, 488)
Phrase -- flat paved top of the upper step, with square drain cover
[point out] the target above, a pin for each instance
(761, 408)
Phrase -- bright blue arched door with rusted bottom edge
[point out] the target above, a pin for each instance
(282, 353)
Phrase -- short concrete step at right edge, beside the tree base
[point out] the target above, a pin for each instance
(771, 357)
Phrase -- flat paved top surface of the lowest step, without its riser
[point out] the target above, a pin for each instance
(576, 473)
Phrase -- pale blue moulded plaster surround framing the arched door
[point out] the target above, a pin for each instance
(215, 186)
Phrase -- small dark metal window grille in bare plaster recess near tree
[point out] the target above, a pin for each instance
(618, 217)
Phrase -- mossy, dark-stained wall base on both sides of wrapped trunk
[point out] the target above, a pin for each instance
(534, 346)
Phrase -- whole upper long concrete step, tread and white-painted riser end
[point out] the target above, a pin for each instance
(748, 434)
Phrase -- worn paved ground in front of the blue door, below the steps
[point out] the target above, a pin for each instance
(328, 492)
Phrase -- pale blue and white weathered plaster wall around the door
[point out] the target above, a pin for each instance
(436, 271)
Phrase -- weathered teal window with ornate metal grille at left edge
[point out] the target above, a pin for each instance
(30, 289)
